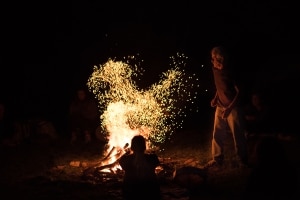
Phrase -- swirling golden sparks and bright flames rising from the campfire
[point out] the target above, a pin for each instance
(128, 110)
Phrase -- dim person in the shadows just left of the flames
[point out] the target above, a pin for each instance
(84, 116)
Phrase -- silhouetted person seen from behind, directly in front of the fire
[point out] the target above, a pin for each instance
(140, 180)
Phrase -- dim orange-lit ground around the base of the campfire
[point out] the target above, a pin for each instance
(59, 170)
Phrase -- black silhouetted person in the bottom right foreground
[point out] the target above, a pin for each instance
(273, 176)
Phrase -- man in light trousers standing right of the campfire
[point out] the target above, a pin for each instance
(228, 113)
